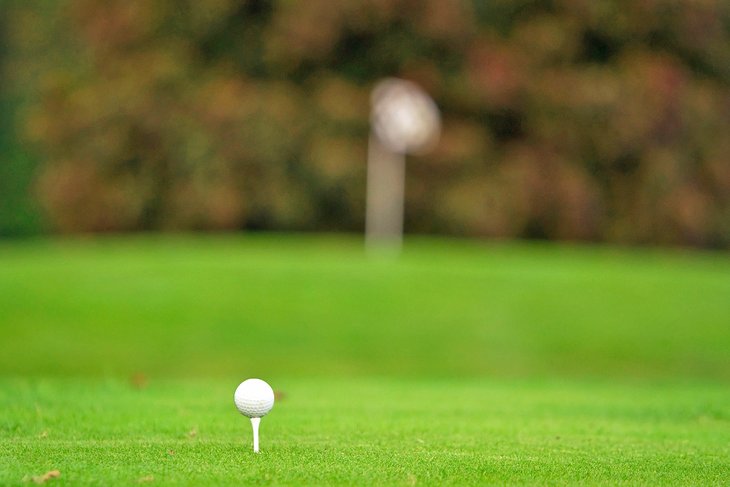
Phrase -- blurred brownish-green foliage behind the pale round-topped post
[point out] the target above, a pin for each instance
(563, 120)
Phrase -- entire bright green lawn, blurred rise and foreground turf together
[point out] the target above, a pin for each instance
(460, 363)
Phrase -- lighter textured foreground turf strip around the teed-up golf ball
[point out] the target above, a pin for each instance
(384, 431)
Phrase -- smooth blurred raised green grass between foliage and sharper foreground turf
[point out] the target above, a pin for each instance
(318, 306)
